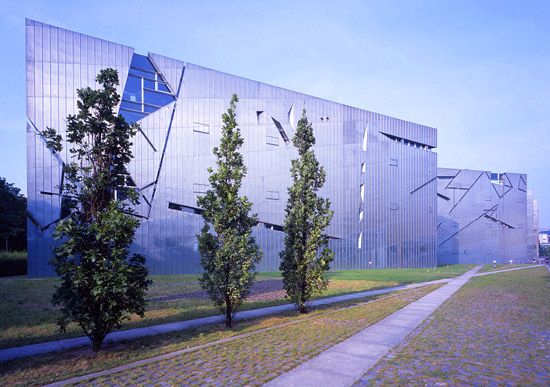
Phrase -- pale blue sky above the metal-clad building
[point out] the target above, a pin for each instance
(476, 70)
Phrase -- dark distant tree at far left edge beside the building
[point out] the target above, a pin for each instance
(13, 215)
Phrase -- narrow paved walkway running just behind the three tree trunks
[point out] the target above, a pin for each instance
(60, 345)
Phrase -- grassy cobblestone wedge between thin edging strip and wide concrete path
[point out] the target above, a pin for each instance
(256, 359)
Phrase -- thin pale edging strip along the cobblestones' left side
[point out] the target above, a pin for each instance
(221, 341)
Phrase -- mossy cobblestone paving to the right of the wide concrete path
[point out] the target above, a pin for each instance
(494, 332)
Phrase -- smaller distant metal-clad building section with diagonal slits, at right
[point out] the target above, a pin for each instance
(483, 217)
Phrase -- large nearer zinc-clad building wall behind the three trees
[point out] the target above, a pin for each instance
(381, 171)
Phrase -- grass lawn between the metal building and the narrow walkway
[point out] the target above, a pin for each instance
(28, 316)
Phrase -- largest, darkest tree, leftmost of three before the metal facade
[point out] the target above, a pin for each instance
(101, 284)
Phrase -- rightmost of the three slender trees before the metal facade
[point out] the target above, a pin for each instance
(306, 254)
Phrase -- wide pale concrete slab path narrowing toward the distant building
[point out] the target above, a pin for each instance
(344, 363)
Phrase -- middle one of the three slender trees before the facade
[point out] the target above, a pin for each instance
(229, 252)
